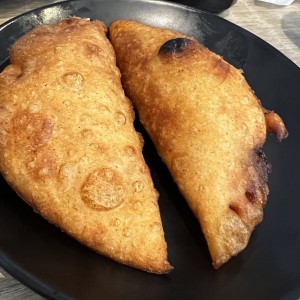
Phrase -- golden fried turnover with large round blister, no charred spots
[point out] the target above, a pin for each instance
(69, 148)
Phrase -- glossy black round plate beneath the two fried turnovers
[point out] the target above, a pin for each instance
(56, 266)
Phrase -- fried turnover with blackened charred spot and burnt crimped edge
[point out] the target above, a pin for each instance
(207, 126)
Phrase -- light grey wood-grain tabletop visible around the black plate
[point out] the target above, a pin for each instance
(277, 25)
